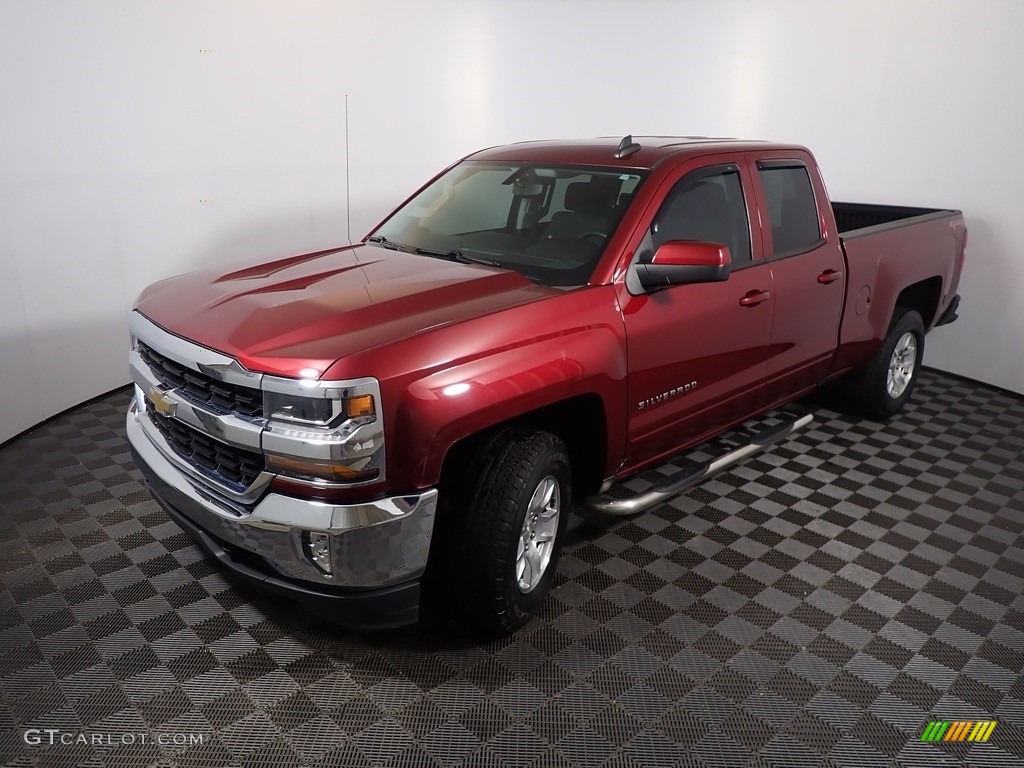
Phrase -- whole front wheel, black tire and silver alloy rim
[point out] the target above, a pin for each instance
(516, 507)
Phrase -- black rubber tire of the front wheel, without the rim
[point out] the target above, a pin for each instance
(493, 499)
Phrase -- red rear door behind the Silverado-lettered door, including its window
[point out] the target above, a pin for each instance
(807, 269)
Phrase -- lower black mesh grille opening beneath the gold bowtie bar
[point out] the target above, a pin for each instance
(233, 466)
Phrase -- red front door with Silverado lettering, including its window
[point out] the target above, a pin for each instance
(697, 353)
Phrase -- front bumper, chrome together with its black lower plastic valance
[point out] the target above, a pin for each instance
(378, 549)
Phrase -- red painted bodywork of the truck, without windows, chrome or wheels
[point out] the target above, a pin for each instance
(664, 369)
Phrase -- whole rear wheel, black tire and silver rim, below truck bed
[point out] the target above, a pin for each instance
(885, 386)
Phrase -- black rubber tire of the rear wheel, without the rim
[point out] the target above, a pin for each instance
(870, 390)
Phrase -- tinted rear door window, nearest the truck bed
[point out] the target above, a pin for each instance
(793, 212)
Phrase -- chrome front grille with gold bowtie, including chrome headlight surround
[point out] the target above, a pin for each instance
(204, 411)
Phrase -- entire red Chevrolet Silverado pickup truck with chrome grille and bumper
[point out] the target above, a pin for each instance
(415, 414)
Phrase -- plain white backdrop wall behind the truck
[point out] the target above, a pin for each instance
(143, 140)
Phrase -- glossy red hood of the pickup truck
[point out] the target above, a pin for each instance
(303, 313)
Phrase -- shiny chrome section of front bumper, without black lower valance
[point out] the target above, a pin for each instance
(373, 545)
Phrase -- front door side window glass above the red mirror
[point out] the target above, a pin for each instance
(708, 206)
